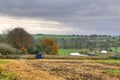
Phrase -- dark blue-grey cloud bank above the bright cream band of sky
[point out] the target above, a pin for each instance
(89, 15)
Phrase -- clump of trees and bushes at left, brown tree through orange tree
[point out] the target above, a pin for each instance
(19, 39)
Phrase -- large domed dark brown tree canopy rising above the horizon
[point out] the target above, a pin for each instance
(19, 38)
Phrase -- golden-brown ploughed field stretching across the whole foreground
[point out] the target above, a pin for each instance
(48, 69)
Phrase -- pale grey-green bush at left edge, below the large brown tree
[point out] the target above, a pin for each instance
(6, 49)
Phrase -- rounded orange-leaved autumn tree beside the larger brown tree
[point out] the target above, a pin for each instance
(49, 46)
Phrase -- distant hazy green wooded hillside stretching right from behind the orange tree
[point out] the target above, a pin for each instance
(85, 41)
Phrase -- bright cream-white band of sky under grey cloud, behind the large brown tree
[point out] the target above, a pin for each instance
(32, 25)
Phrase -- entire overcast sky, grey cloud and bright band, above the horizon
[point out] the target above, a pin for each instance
(61, 16)
